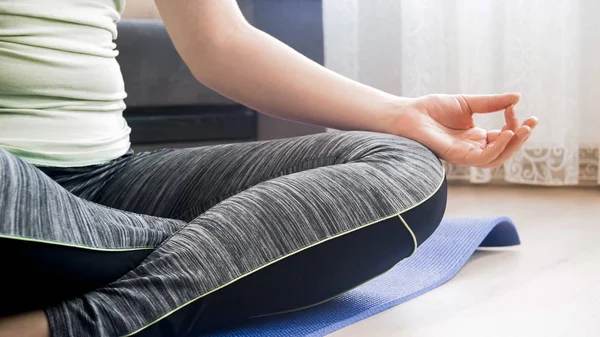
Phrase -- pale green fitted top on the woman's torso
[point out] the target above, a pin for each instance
(61, 88)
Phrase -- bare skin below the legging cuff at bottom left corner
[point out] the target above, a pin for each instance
(31, 324)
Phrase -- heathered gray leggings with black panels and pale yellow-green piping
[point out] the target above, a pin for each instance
(177, 242)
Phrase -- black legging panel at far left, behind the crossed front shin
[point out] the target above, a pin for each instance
(36, 275)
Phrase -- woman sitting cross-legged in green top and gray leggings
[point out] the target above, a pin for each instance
(177, 242)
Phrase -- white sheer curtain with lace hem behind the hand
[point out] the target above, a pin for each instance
(549, 50)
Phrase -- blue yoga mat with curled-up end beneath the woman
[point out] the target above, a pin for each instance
(434, 263)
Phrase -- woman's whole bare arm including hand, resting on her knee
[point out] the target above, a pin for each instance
(227, 54)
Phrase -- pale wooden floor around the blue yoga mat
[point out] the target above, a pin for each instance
(549, 286)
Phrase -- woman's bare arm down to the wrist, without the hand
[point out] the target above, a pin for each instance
(230, 56)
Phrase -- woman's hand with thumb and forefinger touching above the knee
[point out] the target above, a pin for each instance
(444, 123)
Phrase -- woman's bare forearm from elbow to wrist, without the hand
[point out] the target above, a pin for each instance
(255, 69)
